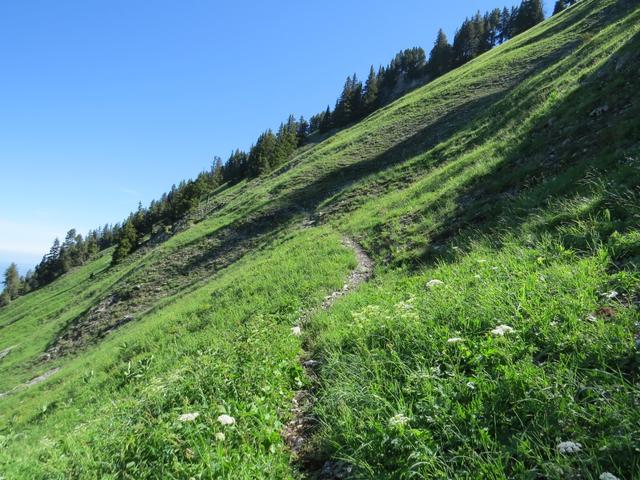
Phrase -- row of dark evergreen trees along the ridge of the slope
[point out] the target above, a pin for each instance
(409, 69)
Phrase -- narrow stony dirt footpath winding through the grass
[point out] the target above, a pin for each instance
(299, 429)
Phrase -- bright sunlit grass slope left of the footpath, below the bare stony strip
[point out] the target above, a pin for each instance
(225, 348)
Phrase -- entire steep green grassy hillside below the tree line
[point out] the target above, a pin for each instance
(500, 204)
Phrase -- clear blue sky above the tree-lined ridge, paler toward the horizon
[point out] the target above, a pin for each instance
(107, 103)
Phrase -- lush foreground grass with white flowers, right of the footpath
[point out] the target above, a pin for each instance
(488, 406)
